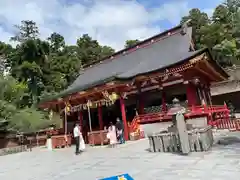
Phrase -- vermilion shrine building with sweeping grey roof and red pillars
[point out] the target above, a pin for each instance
(138, 84)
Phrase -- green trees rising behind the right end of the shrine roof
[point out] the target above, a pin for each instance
(220, 33)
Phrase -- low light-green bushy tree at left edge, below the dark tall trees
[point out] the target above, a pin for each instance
(13, 116)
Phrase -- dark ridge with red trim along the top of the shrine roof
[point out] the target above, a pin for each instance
(131, 49)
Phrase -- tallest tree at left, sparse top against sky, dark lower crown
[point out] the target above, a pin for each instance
(29, 58)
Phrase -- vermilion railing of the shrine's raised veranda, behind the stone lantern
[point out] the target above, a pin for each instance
(216, 116)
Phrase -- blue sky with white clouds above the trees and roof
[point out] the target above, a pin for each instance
(111, 22)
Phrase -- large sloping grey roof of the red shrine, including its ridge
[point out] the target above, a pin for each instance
(159, 52)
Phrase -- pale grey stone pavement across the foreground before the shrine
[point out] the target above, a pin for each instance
(221, 163)
